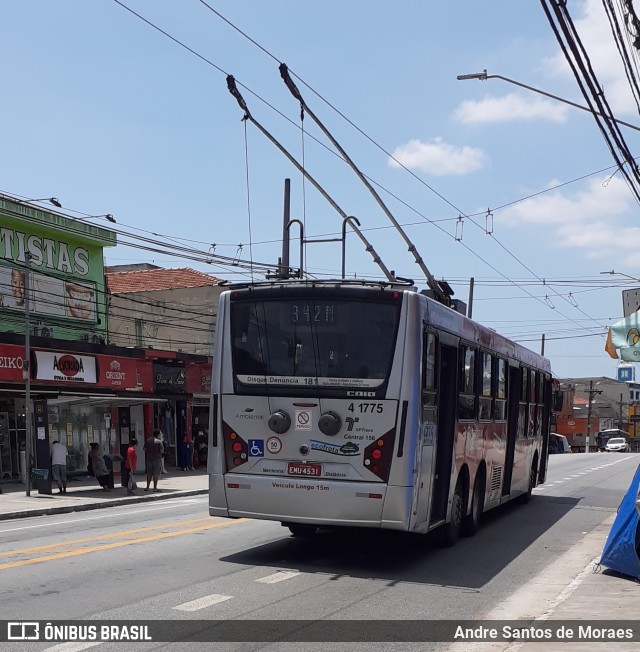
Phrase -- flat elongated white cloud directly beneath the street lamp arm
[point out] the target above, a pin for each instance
(509, 107)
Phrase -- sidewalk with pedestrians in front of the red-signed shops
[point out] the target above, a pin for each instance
(84, 494)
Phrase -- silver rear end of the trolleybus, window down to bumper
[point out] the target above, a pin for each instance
(306, 421)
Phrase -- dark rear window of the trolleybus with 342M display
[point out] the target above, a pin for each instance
(328, 343)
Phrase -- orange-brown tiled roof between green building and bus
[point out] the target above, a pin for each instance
(158, 279)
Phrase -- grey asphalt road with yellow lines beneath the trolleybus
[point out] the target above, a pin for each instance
(171, 561)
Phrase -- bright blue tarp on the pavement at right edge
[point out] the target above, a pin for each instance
(620, 552)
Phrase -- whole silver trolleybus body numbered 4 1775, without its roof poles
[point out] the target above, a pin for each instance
(369, 404)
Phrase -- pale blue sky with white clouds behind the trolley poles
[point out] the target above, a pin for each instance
(111, 116)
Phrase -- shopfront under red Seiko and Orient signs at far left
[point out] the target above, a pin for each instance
(84, 394)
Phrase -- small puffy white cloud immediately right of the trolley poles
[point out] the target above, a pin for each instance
(438, 158)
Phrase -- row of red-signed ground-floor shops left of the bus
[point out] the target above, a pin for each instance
(94, 393)
